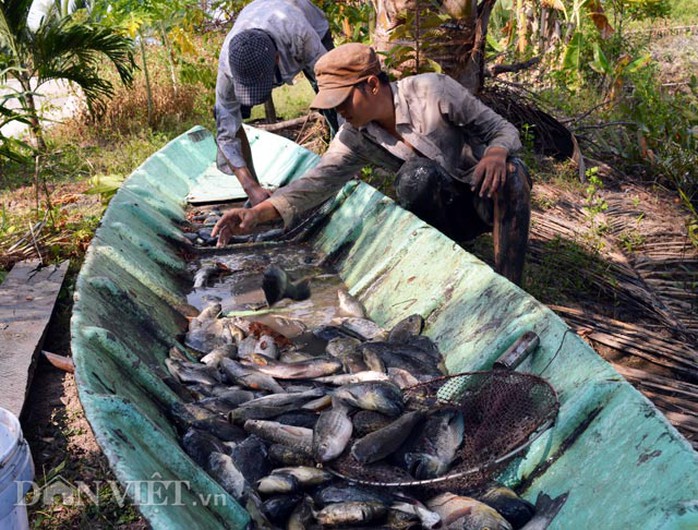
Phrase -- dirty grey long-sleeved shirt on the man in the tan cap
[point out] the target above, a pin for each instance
(435, 114)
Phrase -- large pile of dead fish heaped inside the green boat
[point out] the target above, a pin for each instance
(268, 421)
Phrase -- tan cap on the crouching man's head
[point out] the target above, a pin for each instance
(339, 70)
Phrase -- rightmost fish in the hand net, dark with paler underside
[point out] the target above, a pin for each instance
(437, 445)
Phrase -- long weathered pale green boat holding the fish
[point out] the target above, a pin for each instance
(620, 462)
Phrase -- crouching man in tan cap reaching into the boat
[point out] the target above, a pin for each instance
(451, 154)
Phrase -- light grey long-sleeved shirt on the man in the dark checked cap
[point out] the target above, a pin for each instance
(297, 27)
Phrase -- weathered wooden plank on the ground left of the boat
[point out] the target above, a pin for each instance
(27, 298)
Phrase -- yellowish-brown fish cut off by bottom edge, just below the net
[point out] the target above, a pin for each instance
(466, 513)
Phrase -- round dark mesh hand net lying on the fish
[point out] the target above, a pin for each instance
(504, 412)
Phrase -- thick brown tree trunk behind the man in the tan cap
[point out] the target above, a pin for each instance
(459, 46)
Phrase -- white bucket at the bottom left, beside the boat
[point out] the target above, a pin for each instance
(16, 473)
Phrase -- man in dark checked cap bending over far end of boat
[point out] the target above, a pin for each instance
(269, 44)
